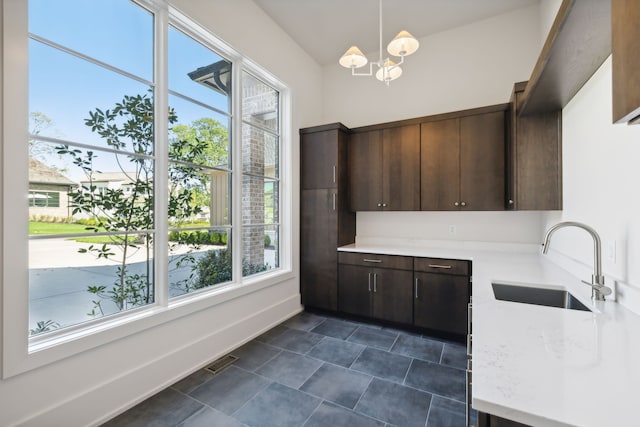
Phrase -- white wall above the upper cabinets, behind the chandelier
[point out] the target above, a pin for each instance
(470, 66)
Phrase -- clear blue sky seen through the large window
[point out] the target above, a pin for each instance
(119, 33)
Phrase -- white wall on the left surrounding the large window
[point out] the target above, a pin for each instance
(85, 388)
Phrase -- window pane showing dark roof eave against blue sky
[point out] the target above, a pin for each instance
(197, 72)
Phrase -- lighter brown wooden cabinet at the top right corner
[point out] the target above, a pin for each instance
(625, 43)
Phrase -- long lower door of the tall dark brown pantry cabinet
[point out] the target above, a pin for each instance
(318, 244)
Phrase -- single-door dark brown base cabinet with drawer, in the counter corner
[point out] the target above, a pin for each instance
(442, 291)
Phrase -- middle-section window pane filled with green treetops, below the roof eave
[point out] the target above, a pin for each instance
(198, 135)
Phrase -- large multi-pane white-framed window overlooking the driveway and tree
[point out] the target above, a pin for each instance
(149, 203)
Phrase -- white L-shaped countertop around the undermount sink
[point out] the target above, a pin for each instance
(544, 366)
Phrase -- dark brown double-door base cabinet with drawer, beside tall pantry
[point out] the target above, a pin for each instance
(376, 286)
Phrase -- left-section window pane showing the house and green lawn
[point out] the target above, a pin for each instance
(113, 193)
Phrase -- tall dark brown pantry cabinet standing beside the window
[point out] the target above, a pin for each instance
(325, 221)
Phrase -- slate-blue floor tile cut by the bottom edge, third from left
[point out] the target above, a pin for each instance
(278, 406)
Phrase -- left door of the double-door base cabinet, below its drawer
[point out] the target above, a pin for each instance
(354, 290)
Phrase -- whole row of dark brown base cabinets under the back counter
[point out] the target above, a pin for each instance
(424, 292)
